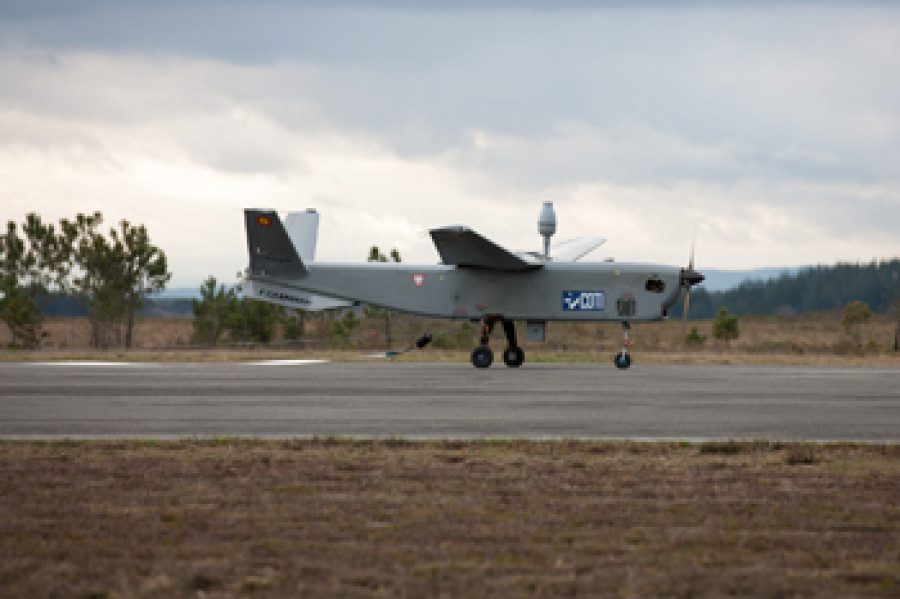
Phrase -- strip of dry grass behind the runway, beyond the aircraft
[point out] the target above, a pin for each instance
(804, 339)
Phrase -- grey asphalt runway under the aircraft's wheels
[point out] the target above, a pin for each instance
(388, 399)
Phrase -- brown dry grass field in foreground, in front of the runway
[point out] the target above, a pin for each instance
(341, 518)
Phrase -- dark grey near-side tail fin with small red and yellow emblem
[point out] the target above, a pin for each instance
(272, 254)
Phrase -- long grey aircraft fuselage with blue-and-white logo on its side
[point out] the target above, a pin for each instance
(557, 291)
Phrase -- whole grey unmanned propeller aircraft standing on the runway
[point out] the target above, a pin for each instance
(477, 280)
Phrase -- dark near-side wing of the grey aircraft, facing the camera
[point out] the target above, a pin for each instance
(461, 246)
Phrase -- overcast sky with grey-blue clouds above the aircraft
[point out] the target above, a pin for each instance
(771, 127)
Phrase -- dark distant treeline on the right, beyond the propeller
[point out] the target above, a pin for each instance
(815, 289)
